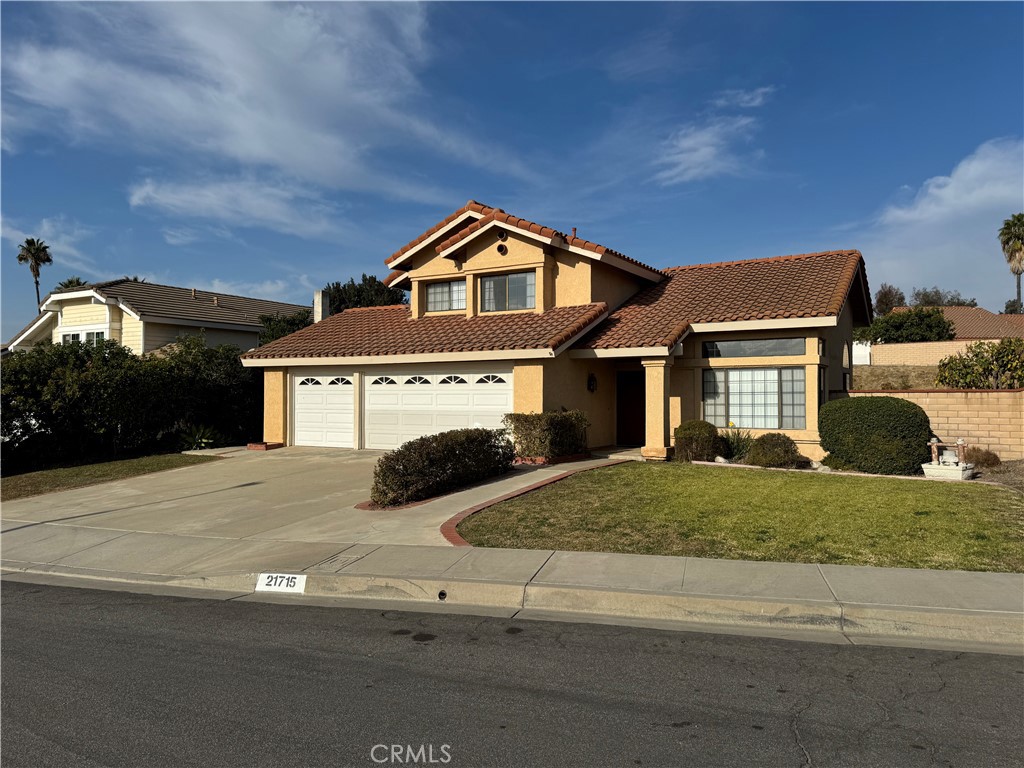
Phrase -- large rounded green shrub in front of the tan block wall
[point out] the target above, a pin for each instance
(883, 436)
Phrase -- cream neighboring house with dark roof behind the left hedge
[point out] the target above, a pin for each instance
(146, 317)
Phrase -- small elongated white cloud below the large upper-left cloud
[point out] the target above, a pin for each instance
(282, 207)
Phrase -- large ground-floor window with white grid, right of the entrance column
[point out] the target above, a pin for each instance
(755, 398)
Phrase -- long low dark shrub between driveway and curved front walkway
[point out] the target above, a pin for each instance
(439, 464)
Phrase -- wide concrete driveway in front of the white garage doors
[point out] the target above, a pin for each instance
(293, 494)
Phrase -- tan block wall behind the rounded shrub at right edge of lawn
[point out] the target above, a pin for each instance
(991, 419)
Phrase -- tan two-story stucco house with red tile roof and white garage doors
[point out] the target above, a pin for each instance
(508, 316)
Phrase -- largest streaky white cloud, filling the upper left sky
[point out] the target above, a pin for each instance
(314, 94)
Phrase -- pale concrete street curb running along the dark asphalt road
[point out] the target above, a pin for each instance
(990, 631)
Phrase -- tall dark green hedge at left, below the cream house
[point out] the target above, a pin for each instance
(69, 404)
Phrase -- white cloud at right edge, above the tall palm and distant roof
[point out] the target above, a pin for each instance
(947, 235)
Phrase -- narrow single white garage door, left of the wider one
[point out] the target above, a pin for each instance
(325, 411)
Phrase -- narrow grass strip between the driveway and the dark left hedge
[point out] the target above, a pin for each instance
(65, 479)
